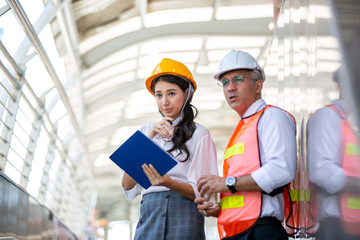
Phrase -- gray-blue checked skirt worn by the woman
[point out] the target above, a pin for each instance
(169, 216)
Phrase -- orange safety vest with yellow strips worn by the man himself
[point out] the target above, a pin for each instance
(240, 211)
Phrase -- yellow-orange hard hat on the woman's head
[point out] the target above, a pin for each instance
(169, 67)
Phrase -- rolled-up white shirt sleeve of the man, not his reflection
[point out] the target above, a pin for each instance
(277, 144)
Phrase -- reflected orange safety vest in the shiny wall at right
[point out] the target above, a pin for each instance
(350, 162)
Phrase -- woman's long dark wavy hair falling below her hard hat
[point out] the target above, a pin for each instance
(186, 128)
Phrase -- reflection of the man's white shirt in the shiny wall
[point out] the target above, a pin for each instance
(324, 157)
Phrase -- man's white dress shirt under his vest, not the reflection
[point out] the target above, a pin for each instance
(277, 145)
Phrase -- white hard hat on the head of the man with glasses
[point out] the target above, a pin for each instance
(236, 60)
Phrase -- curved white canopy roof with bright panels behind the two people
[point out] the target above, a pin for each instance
(118, 43)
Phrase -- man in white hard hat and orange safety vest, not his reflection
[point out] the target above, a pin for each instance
(259, 160)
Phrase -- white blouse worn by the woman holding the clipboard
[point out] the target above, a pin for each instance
(202, 161)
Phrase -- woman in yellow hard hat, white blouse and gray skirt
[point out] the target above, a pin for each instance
(167, 208)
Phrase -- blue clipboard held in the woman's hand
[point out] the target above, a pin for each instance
(136, 151)
